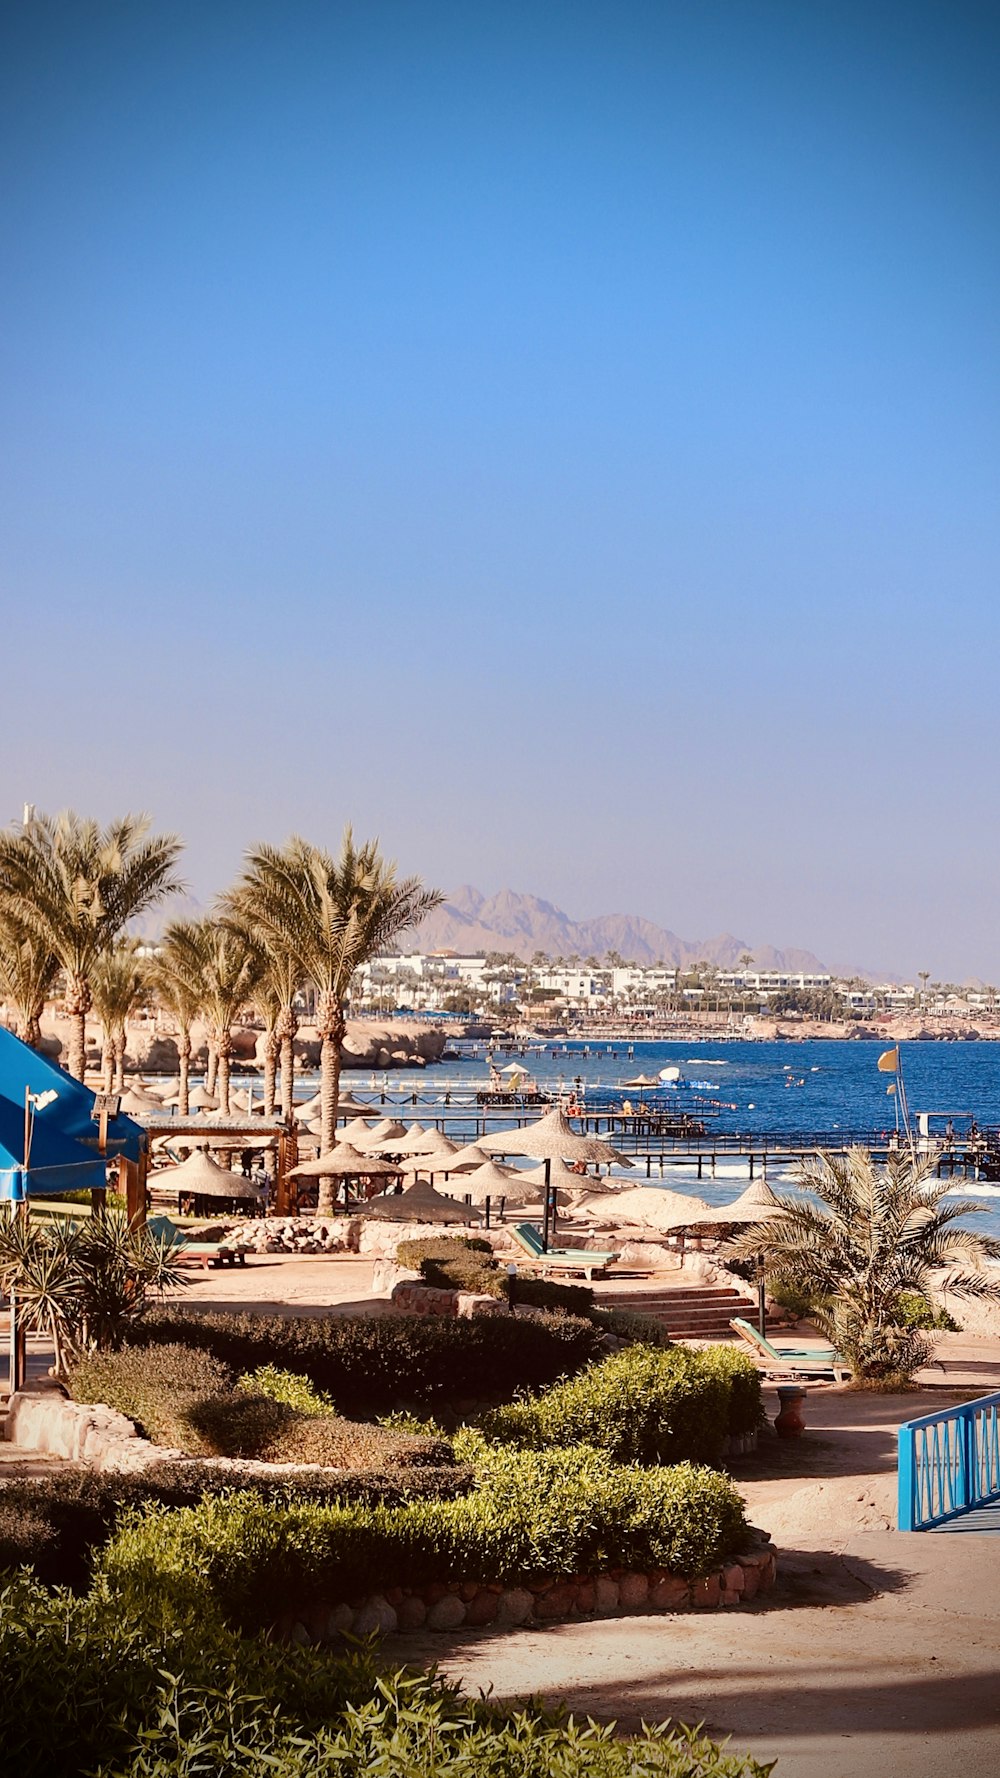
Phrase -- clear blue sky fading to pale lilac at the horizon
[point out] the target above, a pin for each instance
(560, 438)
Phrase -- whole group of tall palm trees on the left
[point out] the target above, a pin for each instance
(298, 918)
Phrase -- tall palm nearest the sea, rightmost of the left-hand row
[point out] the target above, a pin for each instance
(334, 917)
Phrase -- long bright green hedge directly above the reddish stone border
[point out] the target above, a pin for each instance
(531, 1514)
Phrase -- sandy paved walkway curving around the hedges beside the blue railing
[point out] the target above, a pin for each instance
(876, 1658)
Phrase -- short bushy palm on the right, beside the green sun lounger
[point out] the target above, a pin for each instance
(875, 1237)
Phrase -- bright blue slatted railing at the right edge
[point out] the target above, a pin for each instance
(949, 1464)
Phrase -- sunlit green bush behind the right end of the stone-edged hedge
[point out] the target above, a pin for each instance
(641, 1406)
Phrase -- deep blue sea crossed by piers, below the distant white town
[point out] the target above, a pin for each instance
(736, 1085)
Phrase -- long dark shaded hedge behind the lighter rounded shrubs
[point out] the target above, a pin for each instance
(375, 1366)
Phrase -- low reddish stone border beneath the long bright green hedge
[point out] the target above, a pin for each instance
(469, 1605)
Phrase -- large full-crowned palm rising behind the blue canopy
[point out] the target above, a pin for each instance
(76, 886)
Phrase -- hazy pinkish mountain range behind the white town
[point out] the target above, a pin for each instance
(522, 924)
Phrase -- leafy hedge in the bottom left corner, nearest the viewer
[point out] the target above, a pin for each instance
(90, 1685)
